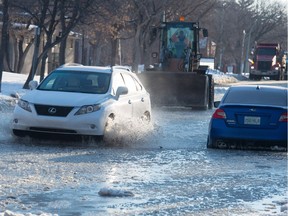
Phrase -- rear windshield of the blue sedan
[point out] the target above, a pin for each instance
(266, 97)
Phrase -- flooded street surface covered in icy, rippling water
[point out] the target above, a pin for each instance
(166, 170)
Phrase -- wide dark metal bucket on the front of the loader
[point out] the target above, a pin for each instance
(177, 89)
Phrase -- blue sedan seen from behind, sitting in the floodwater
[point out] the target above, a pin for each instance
(250, 117)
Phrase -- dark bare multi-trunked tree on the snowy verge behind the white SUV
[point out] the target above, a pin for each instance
(46, 15)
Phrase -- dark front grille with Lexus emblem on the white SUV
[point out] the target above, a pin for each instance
(50, 110)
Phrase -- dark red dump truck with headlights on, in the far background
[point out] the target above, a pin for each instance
(266, 62)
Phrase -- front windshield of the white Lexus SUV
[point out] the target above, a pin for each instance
(76, 81)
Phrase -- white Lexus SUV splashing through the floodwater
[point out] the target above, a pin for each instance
(81, 100)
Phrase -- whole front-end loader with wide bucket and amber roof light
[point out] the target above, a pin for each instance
(176, 77)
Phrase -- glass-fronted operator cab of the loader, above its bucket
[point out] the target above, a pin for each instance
(179, 45)
